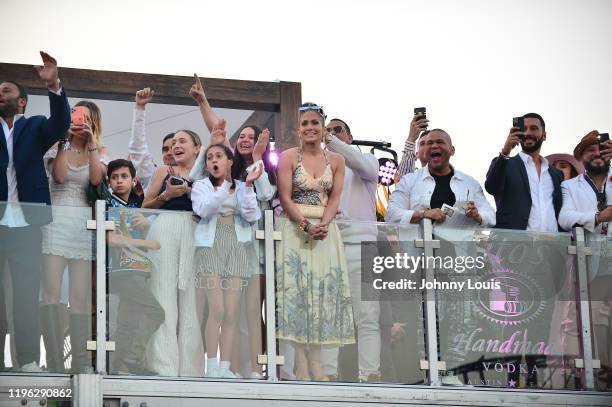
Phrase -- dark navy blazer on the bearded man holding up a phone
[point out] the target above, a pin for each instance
(507, 181)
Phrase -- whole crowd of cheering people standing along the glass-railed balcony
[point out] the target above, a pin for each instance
(174, 275)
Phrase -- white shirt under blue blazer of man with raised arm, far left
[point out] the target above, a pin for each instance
(13, 216)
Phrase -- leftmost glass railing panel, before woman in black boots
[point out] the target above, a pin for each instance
(47, 261)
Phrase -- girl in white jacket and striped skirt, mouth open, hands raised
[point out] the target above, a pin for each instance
(227, 208)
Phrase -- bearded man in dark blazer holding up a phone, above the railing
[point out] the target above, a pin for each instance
(526, 189)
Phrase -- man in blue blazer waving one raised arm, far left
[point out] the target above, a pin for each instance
(25, 199)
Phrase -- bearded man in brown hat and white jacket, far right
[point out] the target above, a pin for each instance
(585, 204)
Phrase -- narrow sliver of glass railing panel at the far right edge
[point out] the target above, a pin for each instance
(599, 275)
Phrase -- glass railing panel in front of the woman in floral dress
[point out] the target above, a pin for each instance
(337, 318)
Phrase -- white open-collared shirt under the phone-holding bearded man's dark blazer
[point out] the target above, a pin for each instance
(542, 213)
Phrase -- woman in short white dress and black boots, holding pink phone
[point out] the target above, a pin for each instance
(73, 164)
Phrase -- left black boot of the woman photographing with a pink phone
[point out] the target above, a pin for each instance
(52, 327)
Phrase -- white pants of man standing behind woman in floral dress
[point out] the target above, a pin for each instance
(366, 315)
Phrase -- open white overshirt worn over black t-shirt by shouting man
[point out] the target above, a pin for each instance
(415, 189)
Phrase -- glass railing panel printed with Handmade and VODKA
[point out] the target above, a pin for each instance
(506, 309)
